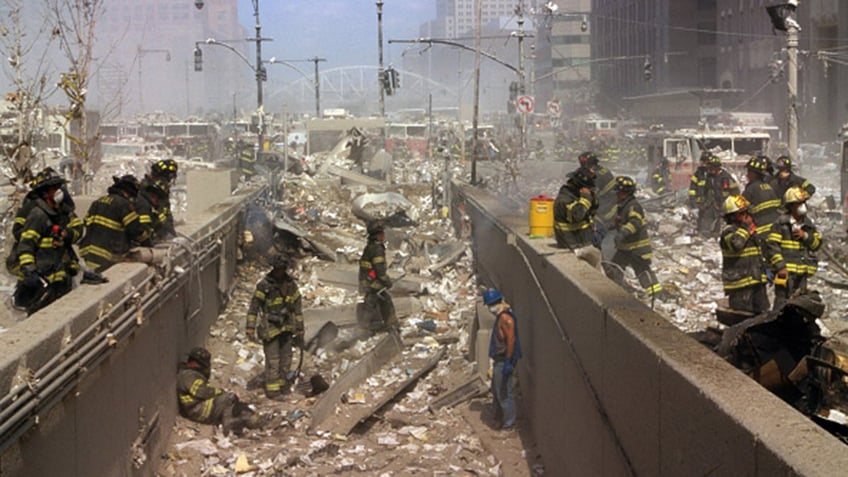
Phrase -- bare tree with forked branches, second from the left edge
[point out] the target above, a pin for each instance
(74, 23)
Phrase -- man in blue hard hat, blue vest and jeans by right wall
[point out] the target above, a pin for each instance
(505, 351)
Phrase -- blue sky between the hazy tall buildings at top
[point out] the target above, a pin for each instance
(342, 31)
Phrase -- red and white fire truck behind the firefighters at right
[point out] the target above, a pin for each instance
(683, 150)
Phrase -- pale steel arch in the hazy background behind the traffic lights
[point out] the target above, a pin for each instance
(357, 85)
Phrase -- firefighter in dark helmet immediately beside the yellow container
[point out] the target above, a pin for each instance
(574, 215)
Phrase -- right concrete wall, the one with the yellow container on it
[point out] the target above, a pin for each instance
(612, 388)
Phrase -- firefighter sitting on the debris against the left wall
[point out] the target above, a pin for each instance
(206, 404)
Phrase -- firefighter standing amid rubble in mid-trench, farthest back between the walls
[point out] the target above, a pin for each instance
(374, 280)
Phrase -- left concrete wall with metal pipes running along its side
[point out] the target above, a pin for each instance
(114, 414)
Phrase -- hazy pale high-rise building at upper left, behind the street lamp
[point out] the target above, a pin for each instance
(148, 62)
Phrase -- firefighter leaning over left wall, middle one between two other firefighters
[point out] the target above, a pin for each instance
(113, 225)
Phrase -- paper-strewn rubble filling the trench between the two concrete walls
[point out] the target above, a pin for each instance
(382, 425)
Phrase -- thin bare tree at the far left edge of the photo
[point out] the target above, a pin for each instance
(26, 50)
